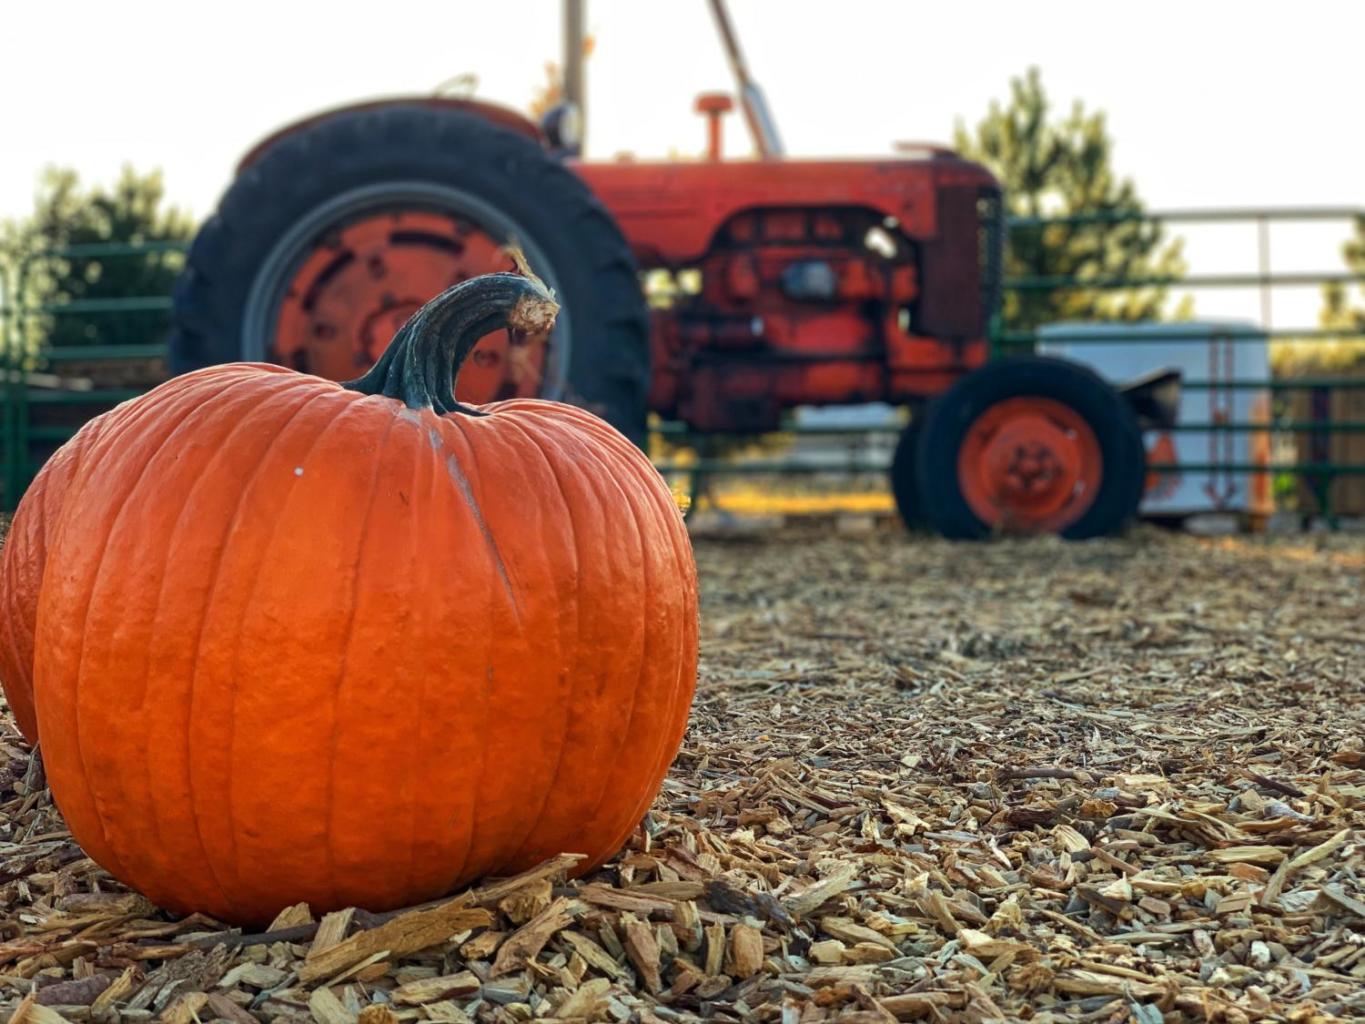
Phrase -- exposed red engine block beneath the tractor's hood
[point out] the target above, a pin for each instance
(794, 308)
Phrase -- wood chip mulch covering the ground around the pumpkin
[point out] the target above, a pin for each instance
(1109, 782)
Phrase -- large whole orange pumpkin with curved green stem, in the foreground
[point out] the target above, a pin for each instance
(358, 644)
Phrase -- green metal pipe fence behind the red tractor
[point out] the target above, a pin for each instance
(44, 403)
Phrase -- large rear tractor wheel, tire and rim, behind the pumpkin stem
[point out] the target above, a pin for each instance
(338, 233)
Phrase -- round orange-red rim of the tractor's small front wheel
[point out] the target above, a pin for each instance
(1030, 465)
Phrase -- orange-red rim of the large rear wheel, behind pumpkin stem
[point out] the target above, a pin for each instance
(364, 279)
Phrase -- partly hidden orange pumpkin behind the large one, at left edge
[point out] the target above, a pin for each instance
(21, 574)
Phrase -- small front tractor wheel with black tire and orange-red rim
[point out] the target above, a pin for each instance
(1030, 446)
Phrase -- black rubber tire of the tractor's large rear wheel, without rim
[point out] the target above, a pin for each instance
(611, 362)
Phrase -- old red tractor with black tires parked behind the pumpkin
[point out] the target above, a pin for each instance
(796, 283)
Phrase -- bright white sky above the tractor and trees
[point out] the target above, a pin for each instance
(1213, 103)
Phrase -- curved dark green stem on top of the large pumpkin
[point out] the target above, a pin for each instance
(422, 364)
